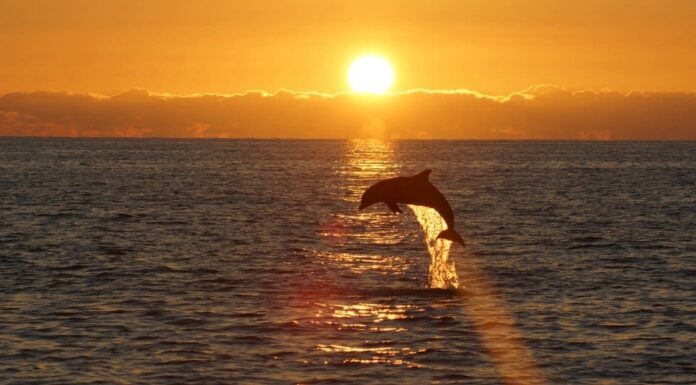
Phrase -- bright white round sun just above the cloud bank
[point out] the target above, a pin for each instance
(370, 74)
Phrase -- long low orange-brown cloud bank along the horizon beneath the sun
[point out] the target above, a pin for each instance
(540, 112)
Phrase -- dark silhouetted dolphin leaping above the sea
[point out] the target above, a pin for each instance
(412, 190)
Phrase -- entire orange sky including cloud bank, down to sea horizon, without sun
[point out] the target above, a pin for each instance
(452, 51)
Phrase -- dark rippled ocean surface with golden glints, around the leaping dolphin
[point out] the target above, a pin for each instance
(247, 262)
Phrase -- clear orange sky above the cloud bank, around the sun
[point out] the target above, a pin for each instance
(219, 46)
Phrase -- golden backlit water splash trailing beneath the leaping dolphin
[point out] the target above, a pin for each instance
(442, 272)
